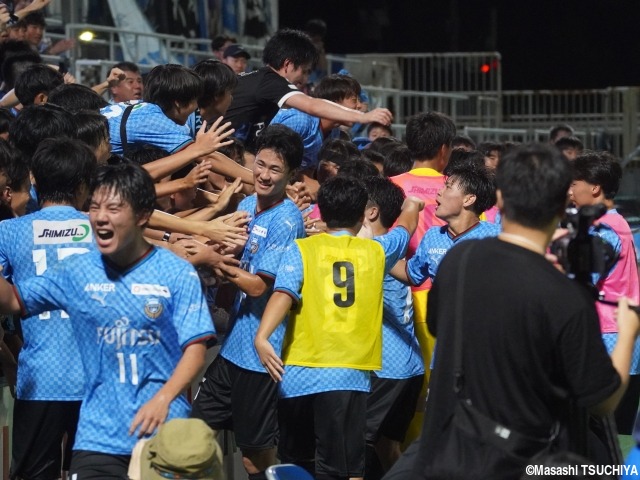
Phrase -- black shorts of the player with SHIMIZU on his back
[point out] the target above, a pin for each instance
(39, 428)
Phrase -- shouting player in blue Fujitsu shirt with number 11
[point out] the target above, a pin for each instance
(140, 320)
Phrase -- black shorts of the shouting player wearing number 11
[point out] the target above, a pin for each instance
(98, 466)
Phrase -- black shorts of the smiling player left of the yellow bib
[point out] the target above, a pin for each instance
(232, 398)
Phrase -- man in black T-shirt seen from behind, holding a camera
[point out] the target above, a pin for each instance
(518, 342)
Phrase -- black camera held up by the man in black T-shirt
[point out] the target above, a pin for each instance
(580, 253)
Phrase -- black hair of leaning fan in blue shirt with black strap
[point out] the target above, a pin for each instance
(166, 84)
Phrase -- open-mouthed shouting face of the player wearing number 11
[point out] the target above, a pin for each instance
(116, 227)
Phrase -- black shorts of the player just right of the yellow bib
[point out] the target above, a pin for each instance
(390, 407)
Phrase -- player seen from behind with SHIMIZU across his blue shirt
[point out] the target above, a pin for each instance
(51, 382)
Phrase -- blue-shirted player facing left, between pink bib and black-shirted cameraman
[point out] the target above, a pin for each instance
(468, 191)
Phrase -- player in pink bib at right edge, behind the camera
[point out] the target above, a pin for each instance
(596, 180)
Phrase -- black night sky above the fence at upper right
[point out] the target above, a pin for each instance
(544, 44)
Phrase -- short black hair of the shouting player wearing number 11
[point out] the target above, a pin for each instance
(130, 182)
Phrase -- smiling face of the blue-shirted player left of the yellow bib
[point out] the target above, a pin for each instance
(271, 175)
